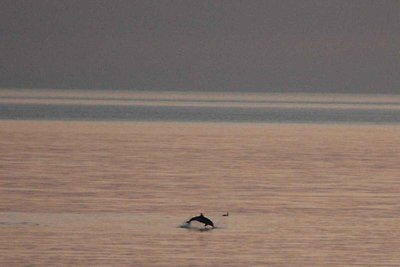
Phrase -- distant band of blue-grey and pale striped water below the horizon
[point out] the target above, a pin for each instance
(206, 107)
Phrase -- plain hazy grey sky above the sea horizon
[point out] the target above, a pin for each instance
(280, 46)
